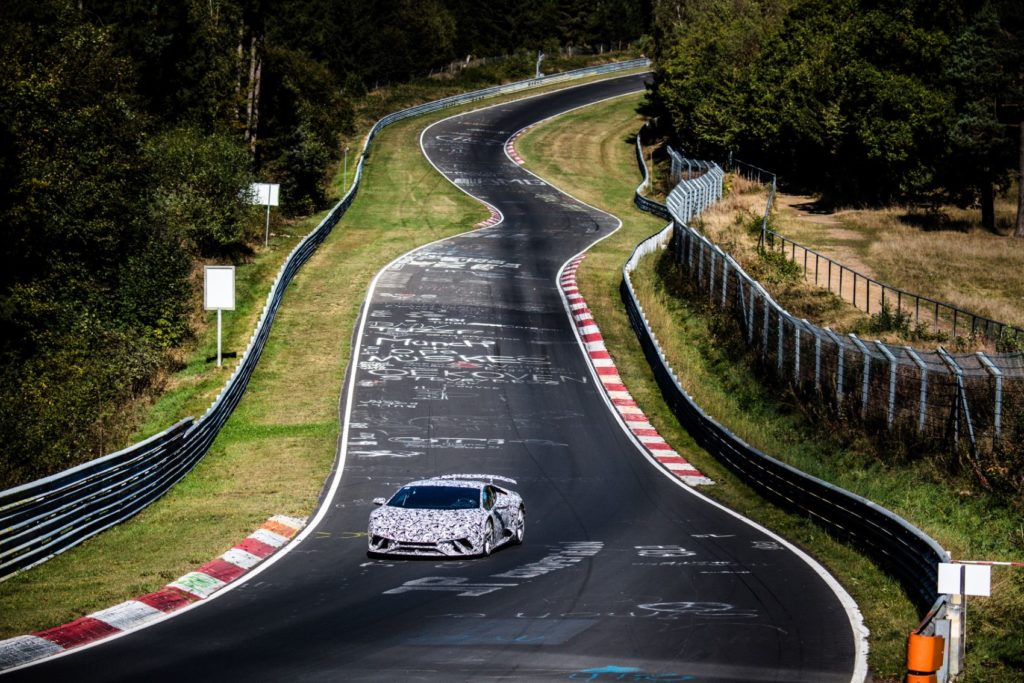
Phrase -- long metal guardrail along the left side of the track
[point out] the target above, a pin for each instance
(46, 518)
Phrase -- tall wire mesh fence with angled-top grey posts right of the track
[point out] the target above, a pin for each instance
(963, 401)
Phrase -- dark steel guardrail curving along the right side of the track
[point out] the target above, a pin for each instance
(902, 549)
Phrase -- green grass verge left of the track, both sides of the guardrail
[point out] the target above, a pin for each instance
(276, 452)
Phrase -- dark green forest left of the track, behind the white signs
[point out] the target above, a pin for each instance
(131, 134)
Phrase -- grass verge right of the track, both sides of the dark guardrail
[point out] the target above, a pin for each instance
(591, 155)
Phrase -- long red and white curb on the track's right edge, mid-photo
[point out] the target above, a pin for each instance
(620, 397)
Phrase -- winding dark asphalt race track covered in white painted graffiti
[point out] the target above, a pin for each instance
(468, 363)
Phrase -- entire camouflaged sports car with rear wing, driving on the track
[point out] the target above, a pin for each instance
(453, 516)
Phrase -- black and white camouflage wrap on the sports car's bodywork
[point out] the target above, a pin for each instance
(395, 531)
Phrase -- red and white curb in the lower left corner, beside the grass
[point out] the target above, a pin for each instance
(131, 615)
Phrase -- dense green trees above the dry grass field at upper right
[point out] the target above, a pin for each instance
(865, 102)
